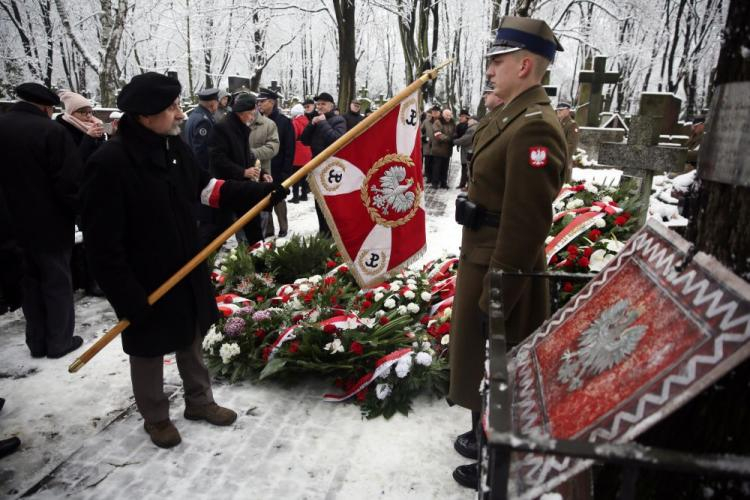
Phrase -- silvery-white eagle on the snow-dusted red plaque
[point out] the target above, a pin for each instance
(608, 341)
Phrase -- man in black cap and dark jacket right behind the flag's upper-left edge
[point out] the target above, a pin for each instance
(324, 129)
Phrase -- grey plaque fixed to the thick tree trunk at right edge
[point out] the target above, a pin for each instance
(722, 155)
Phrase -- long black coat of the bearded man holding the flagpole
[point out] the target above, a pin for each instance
(139, 230)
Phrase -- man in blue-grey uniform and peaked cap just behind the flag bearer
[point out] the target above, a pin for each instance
(199, 125)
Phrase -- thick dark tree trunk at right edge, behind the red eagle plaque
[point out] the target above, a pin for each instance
(717, 420)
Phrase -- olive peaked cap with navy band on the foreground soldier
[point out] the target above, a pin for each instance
(517, 33)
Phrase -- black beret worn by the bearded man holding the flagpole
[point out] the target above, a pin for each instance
(148, 94)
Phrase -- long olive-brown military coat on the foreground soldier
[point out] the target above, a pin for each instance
(519, 159)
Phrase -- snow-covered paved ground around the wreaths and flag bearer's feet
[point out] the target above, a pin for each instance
(82, 437)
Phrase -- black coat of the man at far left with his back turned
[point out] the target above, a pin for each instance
(40, 176)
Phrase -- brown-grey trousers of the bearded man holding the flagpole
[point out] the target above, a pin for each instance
(147, 375)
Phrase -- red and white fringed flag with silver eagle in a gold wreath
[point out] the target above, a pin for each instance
(372, 195)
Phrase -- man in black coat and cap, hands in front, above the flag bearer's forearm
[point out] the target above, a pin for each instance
(231, 157)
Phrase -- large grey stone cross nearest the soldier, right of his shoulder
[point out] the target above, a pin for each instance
(642, 155)
